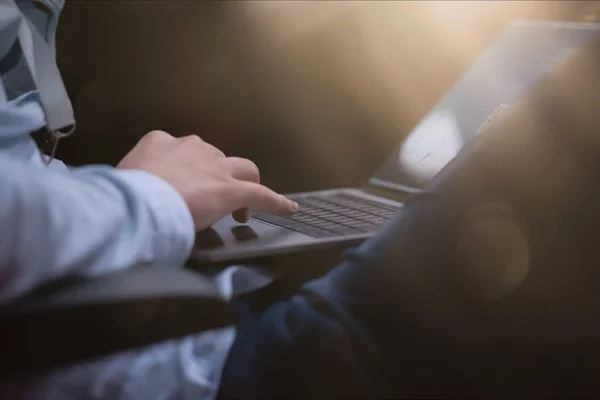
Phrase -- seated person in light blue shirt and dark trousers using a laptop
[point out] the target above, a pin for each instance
(437, 304)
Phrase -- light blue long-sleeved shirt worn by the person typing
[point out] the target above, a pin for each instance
(88, 221)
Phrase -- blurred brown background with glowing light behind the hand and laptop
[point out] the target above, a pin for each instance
(316, 93)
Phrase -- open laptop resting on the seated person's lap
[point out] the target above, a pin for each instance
(525, 52)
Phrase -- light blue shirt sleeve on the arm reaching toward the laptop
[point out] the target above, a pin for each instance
(86, 221)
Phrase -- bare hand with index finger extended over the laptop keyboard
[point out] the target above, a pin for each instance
(211, 184)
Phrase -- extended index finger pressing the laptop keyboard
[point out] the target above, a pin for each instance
(260, 198)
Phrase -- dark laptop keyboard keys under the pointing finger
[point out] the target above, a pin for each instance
(333, 215)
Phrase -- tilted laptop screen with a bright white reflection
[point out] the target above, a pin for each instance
(523, 54)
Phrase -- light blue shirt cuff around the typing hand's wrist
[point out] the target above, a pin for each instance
(171, 217)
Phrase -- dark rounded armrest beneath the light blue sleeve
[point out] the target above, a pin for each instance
(66, 322)
